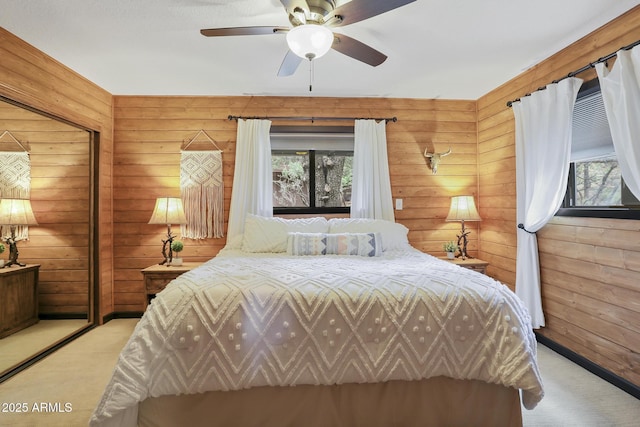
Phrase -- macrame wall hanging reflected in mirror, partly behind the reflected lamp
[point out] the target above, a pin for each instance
(15, 175)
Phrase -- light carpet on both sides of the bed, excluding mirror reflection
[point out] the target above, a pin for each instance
(78, 373)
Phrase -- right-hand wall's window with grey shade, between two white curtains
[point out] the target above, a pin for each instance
(595, 187)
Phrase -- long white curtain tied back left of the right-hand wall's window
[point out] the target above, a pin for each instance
(543, 151)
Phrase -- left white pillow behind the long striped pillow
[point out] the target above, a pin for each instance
(263, 234)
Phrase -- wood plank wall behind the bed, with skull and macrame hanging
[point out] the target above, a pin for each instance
(150, 130)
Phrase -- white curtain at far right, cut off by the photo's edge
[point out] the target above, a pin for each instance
(620, 89)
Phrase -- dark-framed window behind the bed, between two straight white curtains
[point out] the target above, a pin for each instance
(312, 170)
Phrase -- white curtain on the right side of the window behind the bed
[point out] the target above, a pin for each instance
(371, 185)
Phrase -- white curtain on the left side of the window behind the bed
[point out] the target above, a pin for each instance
(252, 190)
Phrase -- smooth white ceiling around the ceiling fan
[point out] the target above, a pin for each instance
(450, 49)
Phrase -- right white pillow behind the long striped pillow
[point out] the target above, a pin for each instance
(393, 234)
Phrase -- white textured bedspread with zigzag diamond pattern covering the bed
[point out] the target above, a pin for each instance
(245, 320)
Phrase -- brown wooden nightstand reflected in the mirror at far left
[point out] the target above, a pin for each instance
(18, 298)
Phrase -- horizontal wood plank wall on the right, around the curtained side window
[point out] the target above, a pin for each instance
(590, 269)
